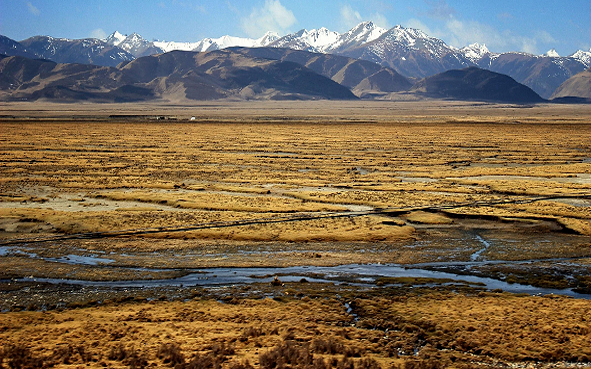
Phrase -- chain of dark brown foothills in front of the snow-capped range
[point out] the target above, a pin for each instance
(243, 74)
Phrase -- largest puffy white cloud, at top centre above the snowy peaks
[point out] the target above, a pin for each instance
(271, 17)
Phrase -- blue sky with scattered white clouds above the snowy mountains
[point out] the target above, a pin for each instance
(503, 25)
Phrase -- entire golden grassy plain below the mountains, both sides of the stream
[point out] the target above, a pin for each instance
(298, 183)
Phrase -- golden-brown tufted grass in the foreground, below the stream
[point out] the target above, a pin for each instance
(430, 330)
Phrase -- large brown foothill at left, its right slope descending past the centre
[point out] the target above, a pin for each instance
(173, 76)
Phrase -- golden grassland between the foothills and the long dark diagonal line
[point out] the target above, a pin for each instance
(149, 171)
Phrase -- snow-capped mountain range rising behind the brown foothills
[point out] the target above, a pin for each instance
(411, 52)
